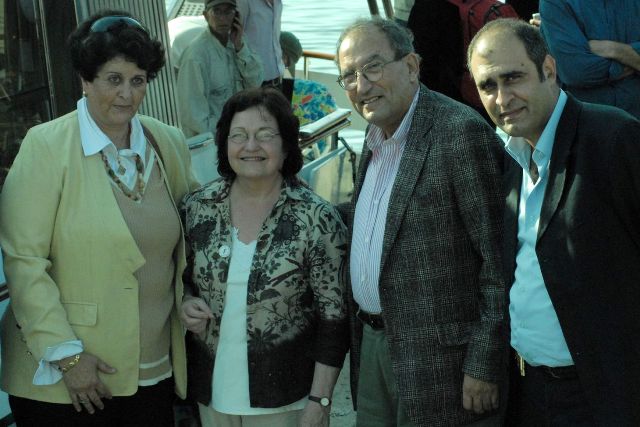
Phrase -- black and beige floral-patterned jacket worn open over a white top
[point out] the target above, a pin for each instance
(296, 309)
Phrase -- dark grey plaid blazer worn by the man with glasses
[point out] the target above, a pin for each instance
(441, 283)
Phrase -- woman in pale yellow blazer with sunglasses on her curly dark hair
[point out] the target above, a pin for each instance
(94, 247)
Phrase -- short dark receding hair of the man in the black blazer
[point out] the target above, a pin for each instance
(529, 35)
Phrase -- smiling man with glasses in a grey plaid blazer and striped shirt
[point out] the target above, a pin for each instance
(425, 256)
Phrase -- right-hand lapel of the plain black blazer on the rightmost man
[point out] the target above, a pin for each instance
(565, 135)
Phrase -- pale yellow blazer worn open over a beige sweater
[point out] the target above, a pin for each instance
(70, 260)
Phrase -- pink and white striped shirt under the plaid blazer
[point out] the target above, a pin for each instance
(371, 210)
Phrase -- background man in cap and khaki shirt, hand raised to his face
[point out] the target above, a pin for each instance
(217, 64)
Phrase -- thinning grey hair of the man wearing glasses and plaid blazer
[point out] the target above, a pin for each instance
(400, 38)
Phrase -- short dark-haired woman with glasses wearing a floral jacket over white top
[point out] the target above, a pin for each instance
(267, 314)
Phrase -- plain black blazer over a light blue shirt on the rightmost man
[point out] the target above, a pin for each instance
(589, 251)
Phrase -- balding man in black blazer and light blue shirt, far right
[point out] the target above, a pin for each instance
(572, 237)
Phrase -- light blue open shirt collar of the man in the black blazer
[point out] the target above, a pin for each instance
(520, 150)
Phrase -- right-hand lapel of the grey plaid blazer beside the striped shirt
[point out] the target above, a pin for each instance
(411, 168)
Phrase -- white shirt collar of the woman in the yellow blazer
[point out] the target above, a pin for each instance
(95, 140)
